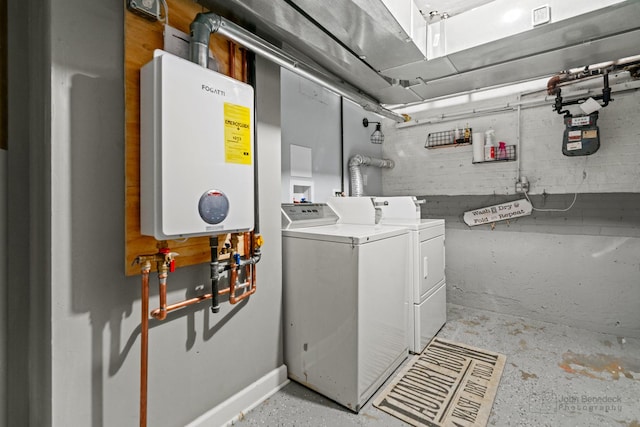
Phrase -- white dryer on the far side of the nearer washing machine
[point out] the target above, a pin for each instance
(426, 288)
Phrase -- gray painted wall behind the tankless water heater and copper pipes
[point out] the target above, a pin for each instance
(66, 208)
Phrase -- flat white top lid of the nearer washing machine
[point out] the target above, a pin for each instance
(354, 234)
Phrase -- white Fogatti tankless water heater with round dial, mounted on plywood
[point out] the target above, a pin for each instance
(196, 150)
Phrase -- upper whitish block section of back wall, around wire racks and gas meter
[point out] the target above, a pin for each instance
(449, 171)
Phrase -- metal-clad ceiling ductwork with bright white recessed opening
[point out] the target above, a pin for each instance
(363, 44)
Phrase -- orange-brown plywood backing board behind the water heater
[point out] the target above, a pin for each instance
(142, 37)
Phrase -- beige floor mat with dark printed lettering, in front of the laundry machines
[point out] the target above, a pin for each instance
(449, 384)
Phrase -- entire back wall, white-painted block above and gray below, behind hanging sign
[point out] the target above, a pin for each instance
(578, 267)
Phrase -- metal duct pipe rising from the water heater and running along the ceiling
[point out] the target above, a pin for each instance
(206, 23)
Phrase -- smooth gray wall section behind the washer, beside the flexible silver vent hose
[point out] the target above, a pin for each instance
(311, 118)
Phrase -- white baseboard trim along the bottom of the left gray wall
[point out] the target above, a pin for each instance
(233, 409)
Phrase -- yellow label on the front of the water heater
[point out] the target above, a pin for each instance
(237, 134)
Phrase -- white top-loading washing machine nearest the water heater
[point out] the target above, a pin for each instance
(344, 318)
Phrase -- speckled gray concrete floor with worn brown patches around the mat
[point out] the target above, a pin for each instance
(551, 374)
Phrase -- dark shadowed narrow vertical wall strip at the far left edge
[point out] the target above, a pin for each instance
(28, 230)
